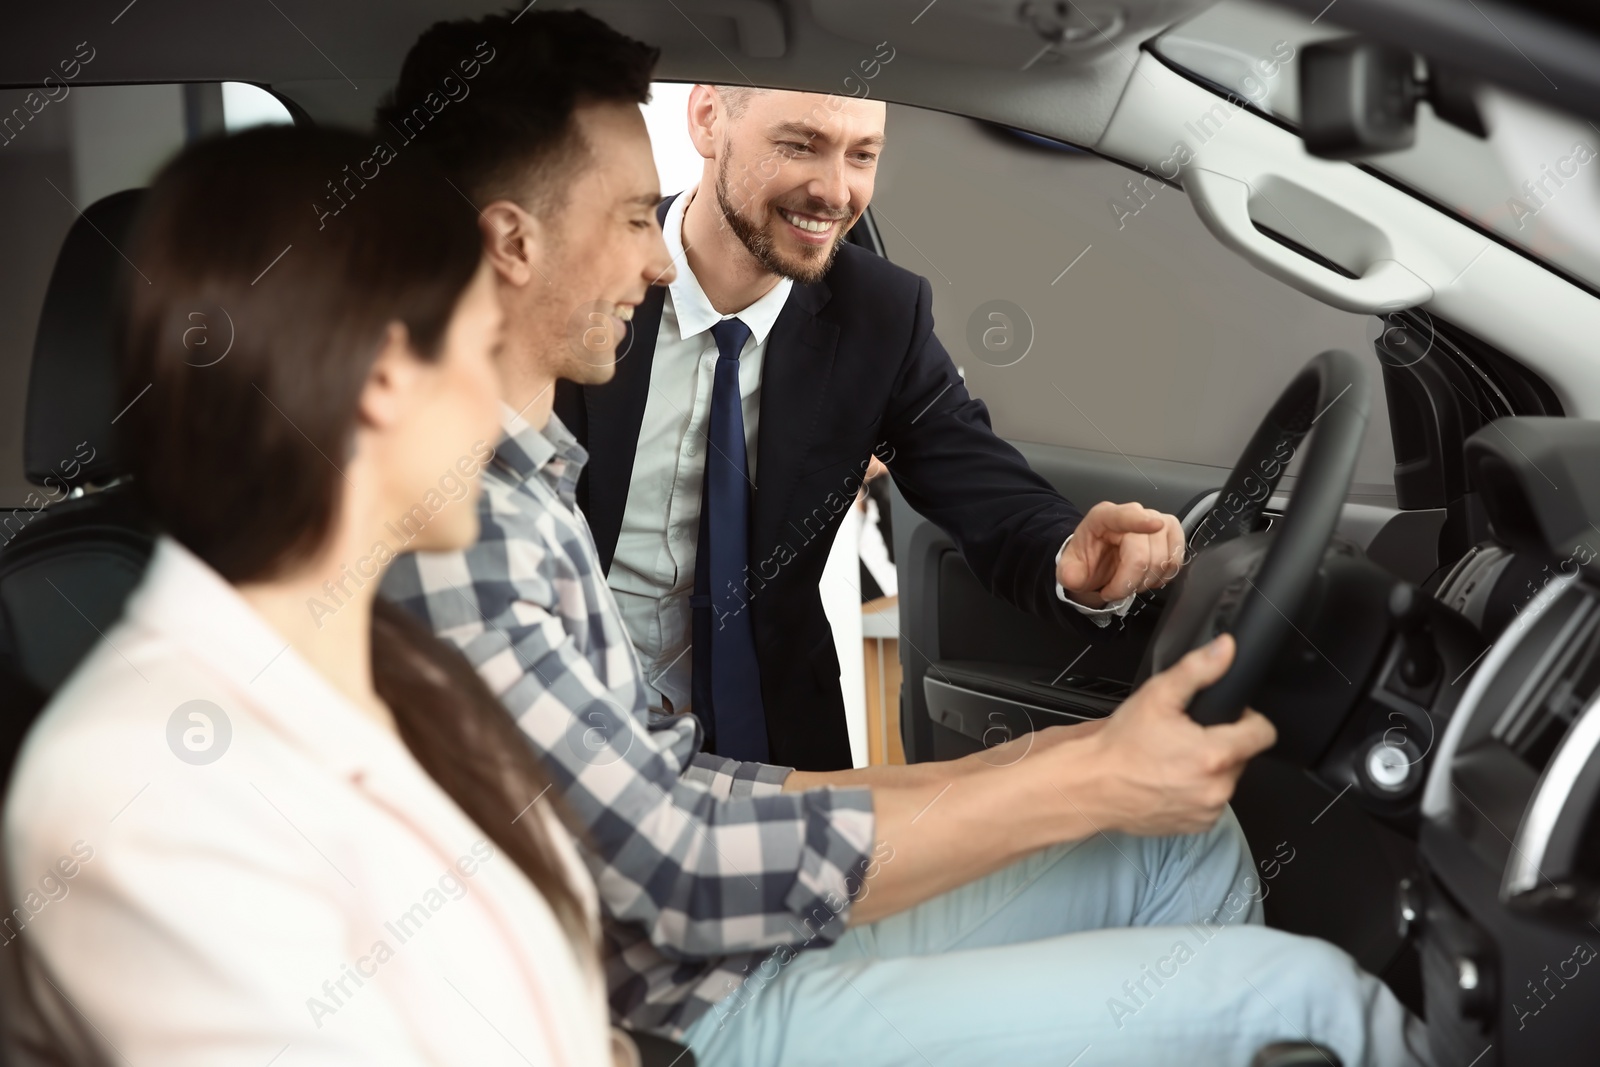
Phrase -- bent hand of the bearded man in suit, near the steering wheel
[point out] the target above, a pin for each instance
(1121, 549)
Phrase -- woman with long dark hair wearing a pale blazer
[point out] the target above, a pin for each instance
(271, 815)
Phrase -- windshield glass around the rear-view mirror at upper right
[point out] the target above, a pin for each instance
(1535, 180)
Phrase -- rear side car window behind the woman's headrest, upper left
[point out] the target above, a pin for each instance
(63, 148)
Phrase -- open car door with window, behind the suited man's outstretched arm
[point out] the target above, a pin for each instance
(1127, 354)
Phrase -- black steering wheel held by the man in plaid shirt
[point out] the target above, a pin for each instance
(1255, 585)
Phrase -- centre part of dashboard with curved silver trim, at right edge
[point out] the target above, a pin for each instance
(1508, 897)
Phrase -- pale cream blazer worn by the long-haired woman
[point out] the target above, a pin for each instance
(234, 911)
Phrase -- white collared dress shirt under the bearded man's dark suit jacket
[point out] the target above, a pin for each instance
(654, 567)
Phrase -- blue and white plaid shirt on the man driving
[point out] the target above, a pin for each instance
(705, 866)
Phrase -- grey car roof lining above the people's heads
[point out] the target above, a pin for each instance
(337, 62)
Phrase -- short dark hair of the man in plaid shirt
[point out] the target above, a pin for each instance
(494, 100)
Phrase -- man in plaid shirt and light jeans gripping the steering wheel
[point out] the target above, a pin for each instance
(1022, 906)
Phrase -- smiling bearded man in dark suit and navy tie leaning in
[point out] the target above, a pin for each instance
(743, 415)
